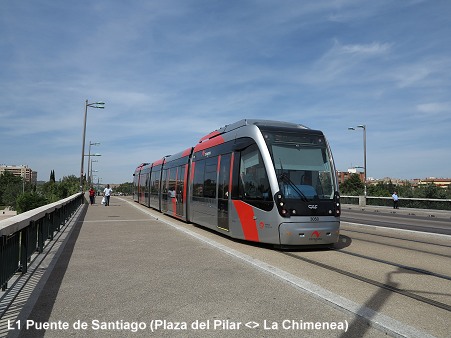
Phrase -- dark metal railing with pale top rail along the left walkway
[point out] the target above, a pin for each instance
(23, 235)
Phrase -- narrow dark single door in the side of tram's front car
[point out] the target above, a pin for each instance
(223, 191)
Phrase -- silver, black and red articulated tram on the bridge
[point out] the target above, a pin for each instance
(256, 180)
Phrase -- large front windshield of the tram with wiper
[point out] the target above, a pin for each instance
(303, 166)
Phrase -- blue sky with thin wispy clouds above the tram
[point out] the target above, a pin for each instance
(172, 71)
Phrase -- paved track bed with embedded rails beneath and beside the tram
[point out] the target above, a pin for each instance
(382, 275)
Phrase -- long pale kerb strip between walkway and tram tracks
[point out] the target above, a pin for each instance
(378, 321)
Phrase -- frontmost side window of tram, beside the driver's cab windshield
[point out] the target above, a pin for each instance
(254, 184)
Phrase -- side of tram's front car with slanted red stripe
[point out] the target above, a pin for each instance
(225, 203)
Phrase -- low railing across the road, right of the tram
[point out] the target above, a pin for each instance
(414, 203)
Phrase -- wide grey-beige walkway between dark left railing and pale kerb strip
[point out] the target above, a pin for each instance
(124, 271)
